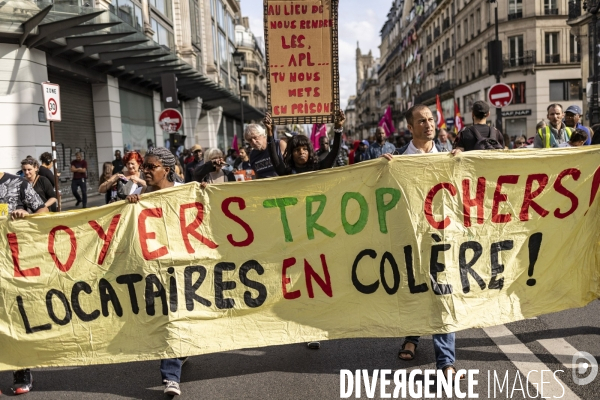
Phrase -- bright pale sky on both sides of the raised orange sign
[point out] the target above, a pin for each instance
(358, 21)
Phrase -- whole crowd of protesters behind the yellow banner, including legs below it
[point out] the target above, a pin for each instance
(265, 155)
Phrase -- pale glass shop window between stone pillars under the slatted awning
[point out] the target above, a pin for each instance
(137, 121)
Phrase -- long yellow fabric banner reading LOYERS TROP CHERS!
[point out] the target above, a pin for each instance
(422, 244)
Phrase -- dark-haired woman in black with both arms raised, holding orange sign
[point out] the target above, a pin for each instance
(299, 155)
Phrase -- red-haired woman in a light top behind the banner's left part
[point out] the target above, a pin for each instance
(122, 185)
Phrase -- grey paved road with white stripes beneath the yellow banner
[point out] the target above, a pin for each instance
(295, 372)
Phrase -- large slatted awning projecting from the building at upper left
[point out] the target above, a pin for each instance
(99, 41)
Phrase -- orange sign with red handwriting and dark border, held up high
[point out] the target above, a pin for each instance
(302, 60)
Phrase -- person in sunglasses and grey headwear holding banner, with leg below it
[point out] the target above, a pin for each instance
(159, 173)
